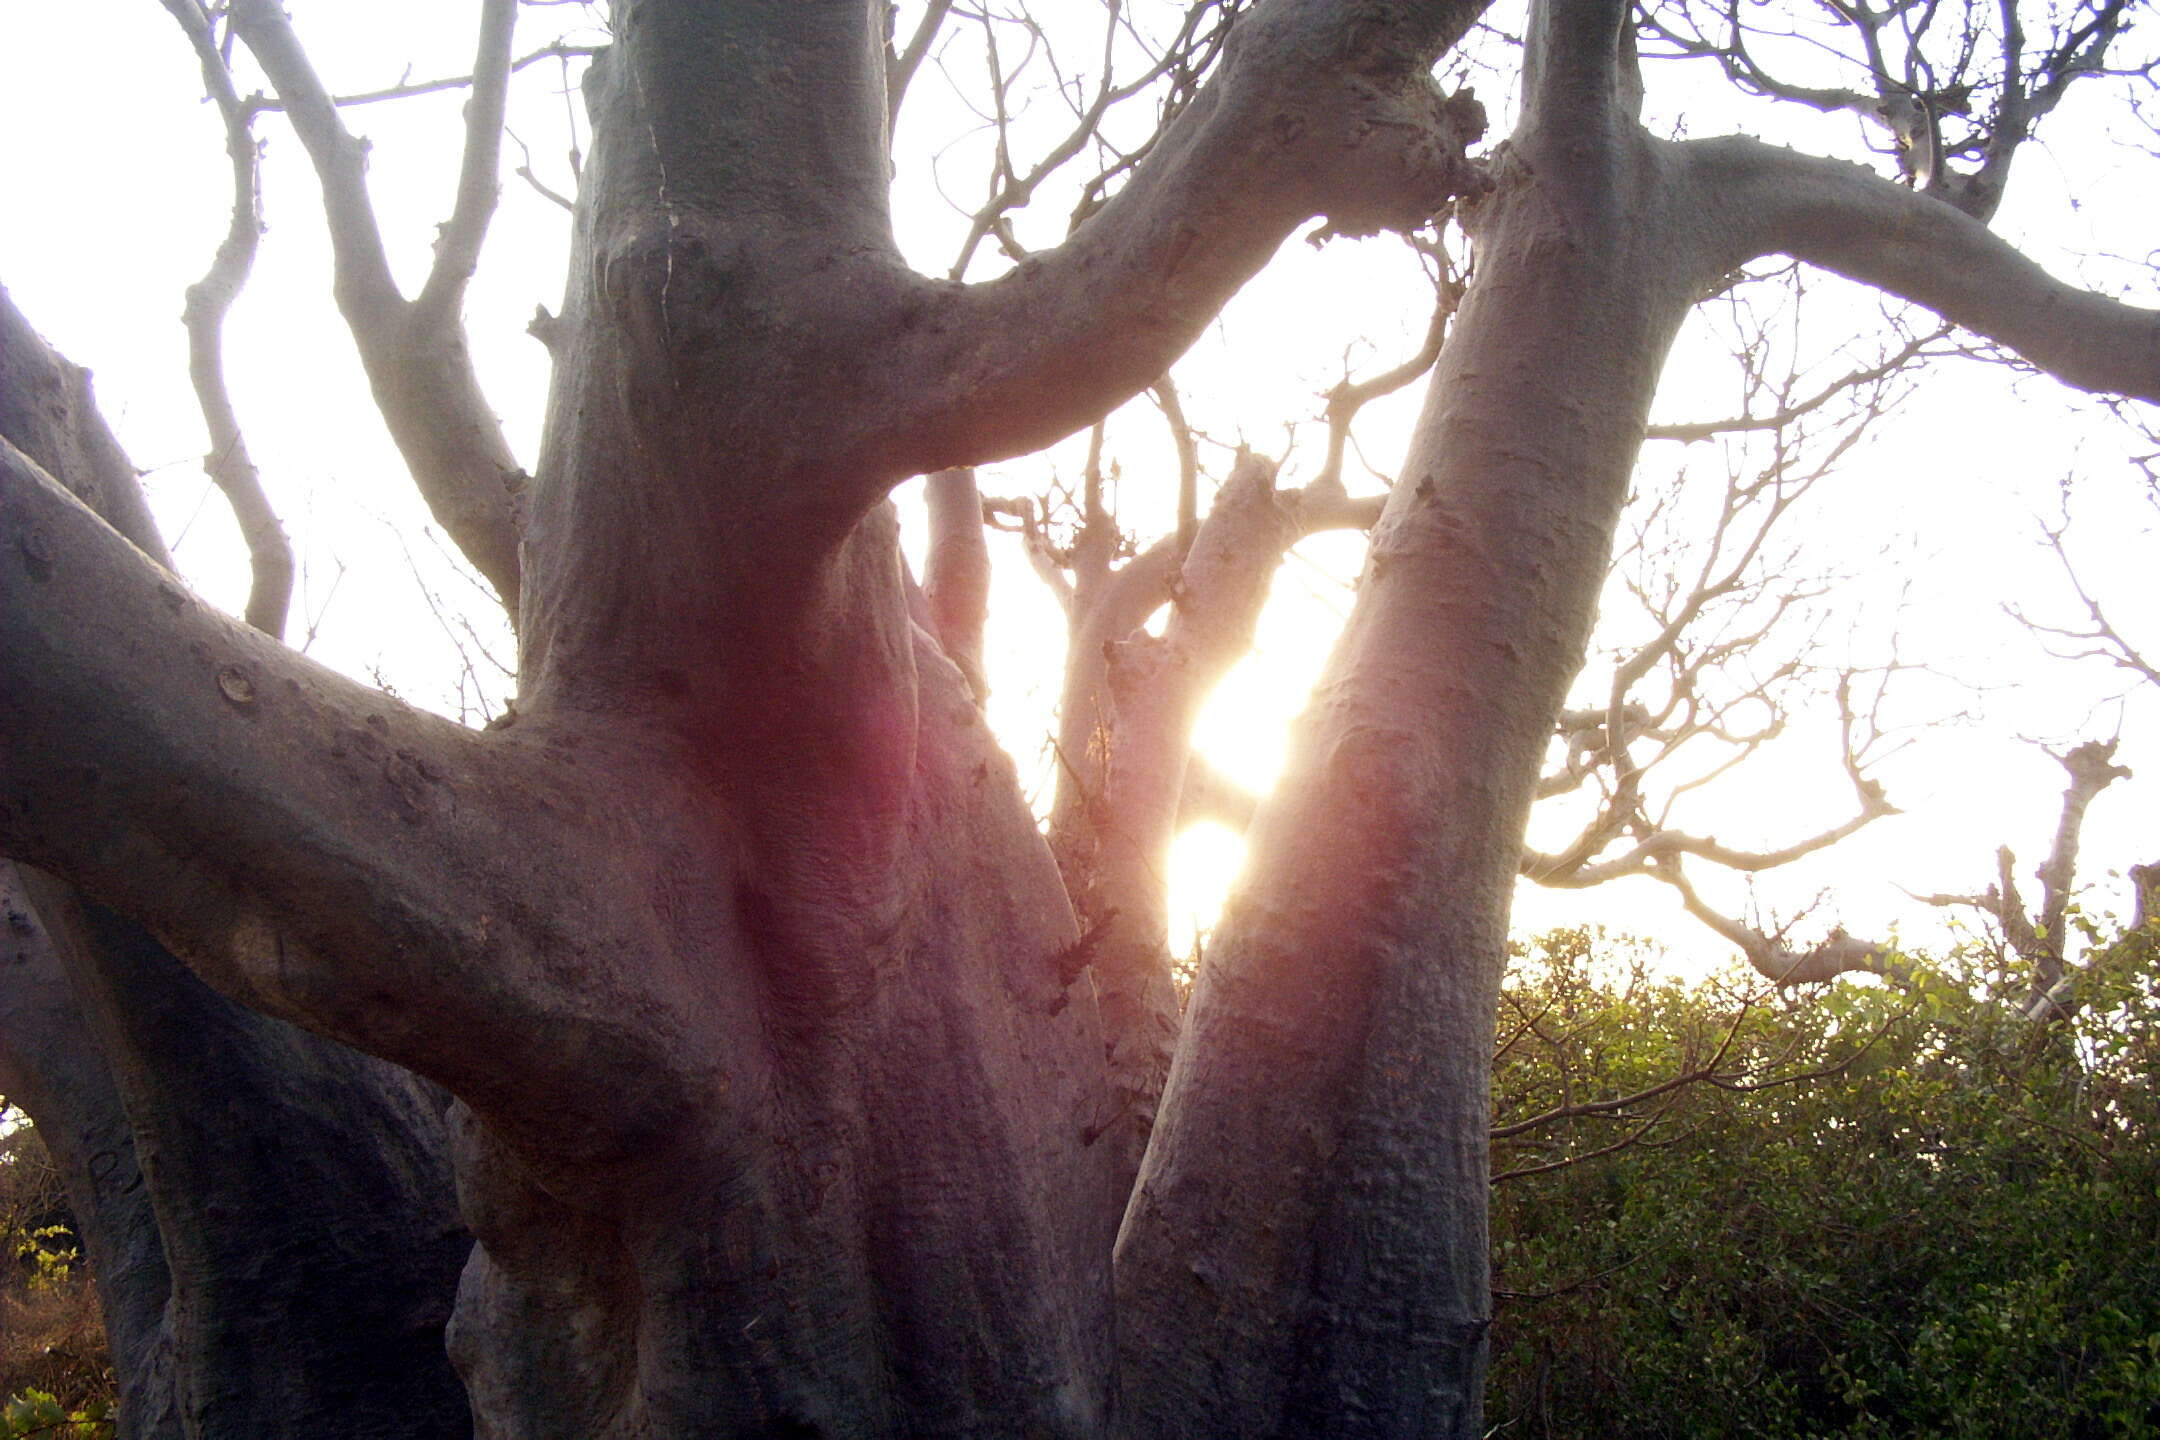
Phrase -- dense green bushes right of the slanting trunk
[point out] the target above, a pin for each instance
(1885, 1212)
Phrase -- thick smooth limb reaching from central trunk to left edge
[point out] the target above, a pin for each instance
(312, 847)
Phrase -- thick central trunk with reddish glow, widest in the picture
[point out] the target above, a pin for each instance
(848, 1186)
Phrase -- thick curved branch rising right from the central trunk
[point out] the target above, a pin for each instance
(1317, 111)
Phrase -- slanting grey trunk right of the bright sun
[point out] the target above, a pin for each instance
(1308, 1249)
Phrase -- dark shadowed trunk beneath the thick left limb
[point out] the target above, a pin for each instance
(301, 1193)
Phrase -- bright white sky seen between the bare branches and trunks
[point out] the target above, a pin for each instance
(118, 195)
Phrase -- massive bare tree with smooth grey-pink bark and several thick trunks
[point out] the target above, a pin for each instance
(783, 1091)
